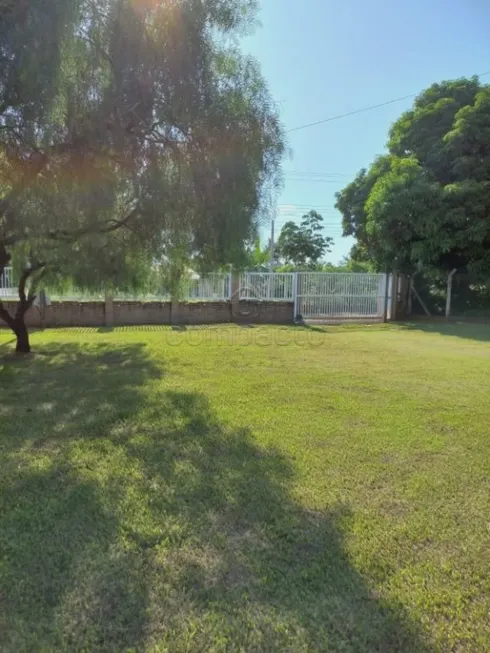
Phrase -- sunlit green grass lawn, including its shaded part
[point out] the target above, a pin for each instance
(230, 490)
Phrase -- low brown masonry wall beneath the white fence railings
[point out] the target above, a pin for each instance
(70, 314)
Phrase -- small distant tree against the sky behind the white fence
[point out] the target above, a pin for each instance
(304, 244)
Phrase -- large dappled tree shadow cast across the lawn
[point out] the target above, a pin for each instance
(131, 518)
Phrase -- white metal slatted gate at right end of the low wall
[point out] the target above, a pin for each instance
(340, 296)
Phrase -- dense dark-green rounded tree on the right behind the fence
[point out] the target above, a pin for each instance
(426, 204)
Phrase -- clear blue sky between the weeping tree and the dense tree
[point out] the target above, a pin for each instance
(327, 57)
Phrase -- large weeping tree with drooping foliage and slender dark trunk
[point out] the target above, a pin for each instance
(126, 125)
